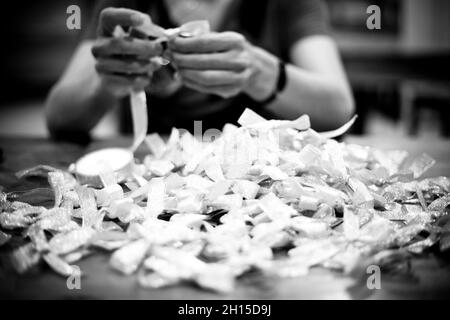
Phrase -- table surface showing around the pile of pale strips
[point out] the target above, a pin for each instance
(431, 275)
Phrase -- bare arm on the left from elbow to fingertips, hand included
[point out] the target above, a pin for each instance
(101, 73)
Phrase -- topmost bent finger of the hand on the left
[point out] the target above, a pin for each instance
(111, 17)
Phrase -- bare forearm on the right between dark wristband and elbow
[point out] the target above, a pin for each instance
(327, 102)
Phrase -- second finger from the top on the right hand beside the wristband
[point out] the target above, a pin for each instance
(232, 60)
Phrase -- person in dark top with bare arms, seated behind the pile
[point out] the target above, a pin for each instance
(273, 56)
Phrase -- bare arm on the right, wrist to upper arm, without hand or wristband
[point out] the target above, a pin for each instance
(316, 84)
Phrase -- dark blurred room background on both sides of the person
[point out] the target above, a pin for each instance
(400, 73)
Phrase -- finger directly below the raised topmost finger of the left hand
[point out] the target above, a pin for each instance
(143, 49)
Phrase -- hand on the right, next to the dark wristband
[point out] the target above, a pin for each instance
(225, 64)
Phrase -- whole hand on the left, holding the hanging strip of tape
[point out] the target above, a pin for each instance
(124, 64)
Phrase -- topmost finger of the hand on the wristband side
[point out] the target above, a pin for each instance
(208, 43)
